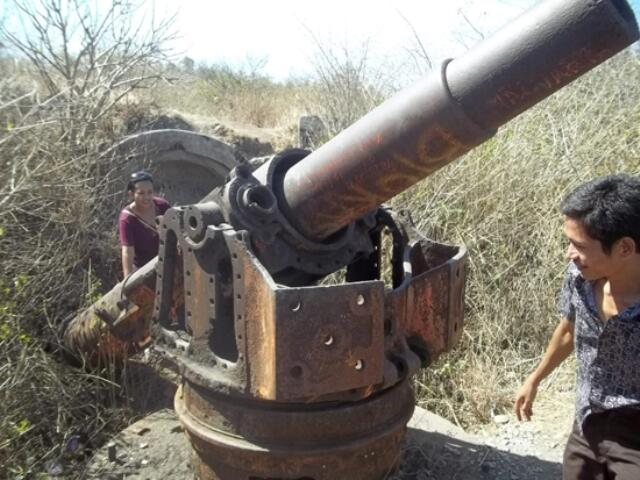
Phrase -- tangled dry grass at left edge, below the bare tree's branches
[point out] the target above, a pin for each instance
(57, 248)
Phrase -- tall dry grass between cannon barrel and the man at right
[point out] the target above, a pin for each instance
(501, 201)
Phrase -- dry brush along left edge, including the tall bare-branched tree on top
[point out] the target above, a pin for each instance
(60, 190)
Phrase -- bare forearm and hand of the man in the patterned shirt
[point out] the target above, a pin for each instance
(559, 348)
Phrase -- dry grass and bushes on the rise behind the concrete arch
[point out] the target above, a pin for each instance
(345, 85)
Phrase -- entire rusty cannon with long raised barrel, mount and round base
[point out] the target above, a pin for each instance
(286, 375)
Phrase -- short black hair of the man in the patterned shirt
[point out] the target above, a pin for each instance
(608, 207)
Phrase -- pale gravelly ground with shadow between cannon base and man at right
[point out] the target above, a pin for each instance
(505, 449)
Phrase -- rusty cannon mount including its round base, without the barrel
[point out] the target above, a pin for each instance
(294, 382)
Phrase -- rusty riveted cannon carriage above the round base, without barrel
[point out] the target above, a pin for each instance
(249, 335)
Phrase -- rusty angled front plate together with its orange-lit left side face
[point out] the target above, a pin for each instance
(305, 346)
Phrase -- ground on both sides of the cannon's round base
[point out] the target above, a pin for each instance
(156, 448)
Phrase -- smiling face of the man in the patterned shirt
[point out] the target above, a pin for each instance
(587, 253)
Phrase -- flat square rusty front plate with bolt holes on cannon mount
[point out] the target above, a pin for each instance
(328, 339)
